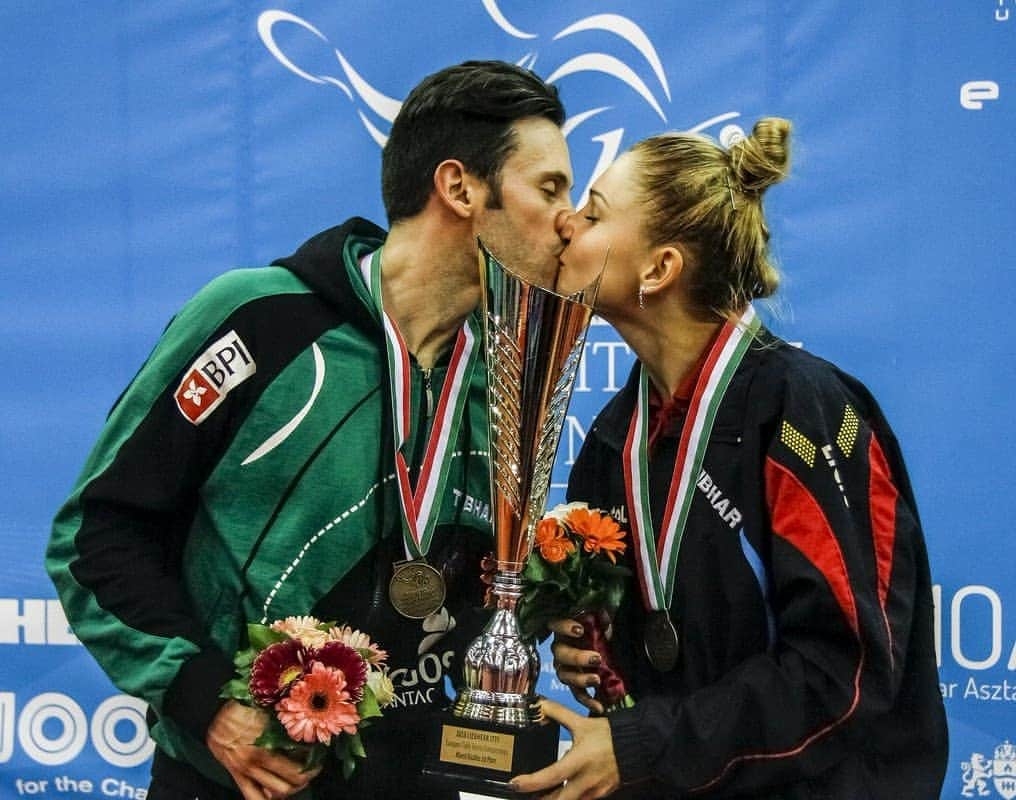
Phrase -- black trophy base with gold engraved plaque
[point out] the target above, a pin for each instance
(478, 757)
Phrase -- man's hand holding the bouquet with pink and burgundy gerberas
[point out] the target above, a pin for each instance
(261, 774)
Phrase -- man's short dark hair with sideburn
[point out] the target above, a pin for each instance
(466, 113)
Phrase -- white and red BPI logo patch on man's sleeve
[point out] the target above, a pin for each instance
(223, 367)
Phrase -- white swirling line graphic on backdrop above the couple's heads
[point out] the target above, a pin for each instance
(376, 110)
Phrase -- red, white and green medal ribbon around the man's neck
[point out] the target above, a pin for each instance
(421, 509)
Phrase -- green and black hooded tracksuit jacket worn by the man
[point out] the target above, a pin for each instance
(246, 475)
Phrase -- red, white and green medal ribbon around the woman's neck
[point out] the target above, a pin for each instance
(658, 558)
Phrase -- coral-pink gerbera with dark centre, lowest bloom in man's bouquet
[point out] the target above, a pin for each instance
(319, 707)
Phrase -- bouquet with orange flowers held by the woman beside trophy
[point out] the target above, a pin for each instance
(573, 574)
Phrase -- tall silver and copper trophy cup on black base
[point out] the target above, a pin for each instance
(534, 341)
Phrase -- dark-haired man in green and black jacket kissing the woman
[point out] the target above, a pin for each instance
(252, 469)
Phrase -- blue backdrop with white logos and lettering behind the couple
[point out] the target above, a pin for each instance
(149, 147)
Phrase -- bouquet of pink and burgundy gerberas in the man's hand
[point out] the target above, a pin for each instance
(322, 685)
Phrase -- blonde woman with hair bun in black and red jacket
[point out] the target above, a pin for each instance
(779, 642)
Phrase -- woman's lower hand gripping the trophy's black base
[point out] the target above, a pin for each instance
(589, 768)
